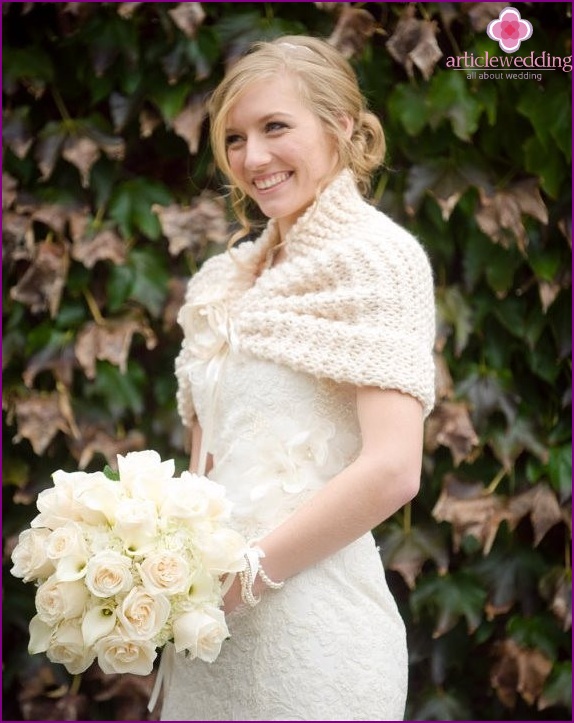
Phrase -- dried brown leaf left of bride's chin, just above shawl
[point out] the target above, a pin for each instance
(192, 228)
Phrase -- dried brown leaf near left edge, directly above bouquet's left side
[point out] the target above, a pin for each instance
(39, 417)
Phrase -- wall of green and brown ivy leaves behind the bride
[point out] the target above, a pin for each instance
(110, 203)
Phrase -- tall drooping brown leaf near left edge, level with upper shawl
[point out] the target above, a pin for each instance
(43, 282)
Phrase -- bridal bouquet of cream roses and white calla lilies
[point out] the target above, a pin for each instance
(125, 562)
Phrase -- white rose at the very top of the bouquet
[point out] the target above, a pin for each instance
(145, 475)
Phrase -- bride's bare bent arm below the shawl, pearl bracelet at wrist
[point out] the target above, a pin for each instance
(384, 477)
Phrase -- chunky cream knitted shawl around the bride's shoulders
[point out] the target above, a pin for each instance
(352, 301)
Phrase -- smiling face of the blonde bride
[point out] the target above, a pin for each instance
(278, 150)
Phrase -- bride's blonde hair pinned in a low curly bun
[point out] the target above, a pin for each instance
(328, 86)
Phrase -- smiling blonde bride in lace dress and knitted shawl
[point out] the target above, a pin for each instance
(305, 376)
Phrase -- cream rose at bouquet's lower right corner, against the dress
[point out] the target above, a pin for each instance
(201, 633)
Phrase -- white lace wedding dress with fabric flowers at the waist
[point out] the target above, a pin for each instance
(330, 645)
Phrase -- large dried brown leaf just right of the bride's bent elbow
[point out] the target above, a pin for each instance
(471, 510)
